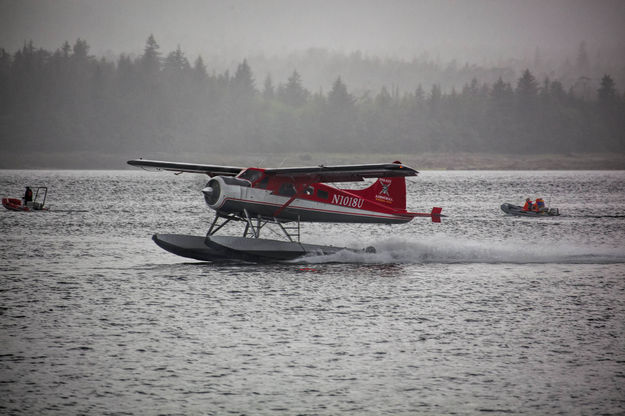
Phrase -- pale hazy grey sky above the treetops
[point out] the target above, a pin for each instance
(399, 28)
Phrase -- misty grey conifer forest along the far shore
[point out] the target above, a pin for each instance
(67, 100)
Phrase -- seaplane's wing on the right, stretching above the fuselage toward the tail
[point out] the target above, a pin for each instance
(344, 173)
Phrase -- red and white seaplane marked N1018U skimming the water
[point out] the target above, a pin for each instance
(281, 197)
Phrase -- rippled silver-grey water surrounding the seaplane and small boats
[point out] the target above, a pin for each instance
(482, 313)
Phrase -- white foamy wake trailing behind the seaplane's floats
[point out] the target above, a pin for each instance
(449, 250)
